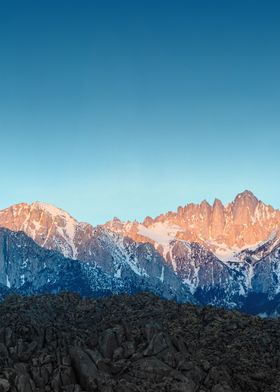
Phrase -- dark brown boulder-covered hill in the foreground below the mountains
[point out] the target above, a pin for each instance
(132, 344)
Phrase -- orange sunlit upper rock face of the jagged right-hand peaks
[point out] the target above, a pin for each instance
(223, 229)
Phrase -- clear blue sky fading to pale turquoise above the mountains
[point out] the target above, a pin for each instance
(131, 108)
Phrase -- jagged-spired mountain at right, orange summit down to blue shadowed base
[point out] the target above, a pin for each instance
(216, 250)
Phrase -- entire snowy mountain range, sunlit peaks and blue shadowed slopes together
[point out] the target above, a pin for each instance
(224, 255)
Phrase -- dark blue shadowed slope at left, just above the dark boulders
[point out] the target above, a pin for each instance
(27, 268)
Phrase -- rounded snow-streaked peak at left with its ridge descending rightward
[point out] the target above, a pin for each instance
(118, 256)
